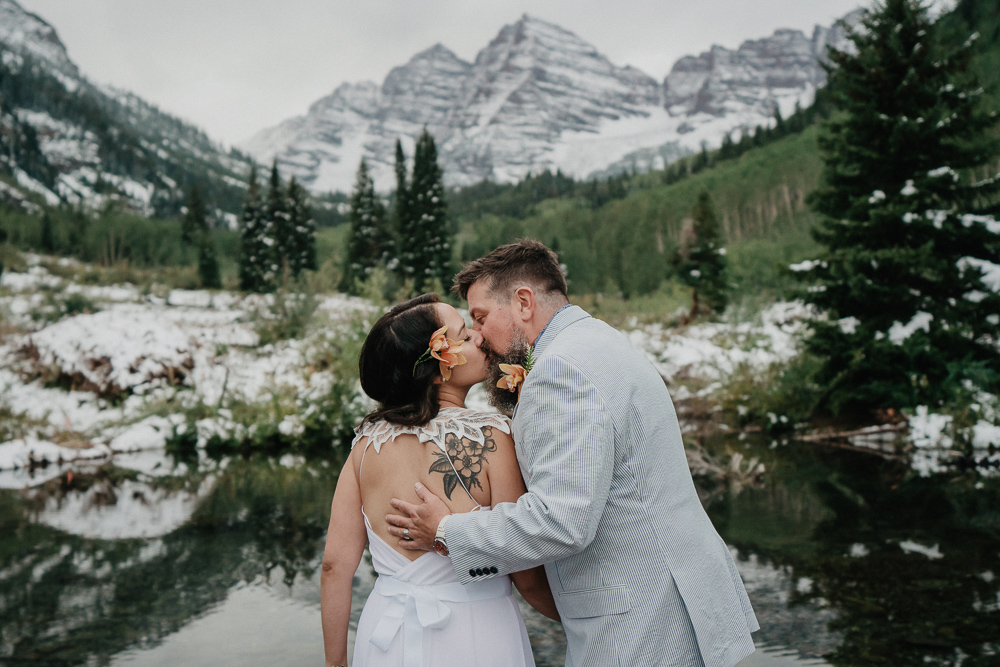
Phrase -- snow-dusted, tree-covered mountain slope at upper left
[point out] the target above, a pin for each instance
(71, 141)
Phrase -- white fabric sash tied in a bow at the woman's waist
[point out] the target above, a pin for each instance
(415, 608)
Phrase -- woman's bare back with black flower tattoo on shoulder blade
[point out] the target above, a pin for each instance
(396, 466)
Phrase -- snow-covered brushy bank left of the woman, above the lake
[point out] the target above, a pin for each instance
(185, 348)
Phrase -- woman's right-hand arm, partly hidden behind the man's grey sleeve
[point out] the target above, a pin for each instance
(506, 486)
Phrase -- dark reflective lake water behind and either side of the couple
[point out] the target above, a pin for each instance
(849, 559)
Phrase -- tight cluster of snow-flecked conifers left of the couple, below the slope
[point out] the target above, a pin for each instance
(277, 234)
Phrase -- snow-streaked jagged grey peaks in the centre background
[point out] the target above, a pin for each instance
(539, 97)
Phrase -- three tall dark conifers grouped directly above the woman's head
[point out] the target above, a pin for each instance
(414, 242)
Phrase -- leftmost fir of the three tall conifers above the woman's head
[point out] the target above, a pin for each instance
(371, 240)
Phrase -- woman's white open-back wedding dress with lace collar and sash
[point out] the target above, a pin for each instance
(419, 615)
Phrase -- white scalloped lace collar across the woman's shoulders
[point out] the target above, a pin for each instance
(463, 422)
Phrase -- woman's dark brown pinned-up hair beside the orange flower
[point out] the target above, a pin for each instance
(398, 339)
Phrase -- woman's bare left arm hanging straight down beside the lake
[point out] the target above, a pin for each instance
(345, 544)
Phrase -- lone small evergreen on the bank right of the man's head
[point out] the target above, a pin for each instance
(701, 261)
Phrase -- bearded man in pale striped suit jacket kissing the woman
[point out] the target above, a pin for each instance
(637, 570)
